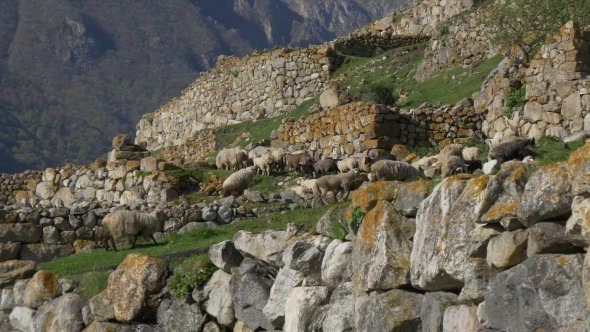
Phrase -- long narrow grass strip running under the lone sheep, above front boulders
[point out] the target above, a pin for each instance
(200, 237)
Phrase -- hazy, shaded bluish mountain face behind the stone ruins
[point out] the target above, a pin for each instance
(75, 73)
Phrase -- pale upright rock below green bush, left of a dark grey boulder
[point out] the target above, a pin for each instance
(218, 298)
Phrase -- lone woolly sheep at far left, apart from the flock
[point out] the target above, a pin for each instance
(124, 224)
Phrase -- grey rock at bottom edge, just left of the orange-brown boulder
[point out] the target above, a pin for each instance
(63, 314)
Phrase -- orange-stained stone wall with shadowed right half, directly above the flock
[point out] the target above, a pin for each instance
(356, 127)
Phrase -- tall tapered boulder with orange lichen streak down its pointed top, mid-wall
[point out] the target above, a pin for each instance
(381, 251)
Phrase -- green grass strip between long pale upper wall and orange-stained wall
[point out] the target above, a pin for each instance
(260, 129)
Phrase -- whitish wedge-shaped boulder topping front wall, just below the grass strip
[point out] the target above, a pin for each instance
(266, 248)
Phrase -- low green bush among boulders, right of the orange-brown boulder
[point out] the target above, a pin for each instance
(191, 274)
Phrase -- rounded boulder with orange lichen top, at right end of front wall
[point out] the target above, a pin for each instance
(547, 195)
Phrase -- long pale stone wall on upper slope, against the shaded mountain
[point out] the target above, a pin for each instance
(264, 84)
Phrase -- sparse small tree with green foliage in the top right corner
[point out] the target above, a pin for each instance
(521, 26)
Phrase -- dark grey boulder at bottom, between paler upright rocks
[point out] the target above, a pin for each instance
(250, 294)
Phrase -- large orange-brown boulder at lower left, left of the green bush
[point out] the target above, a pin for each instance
(134, 287)
